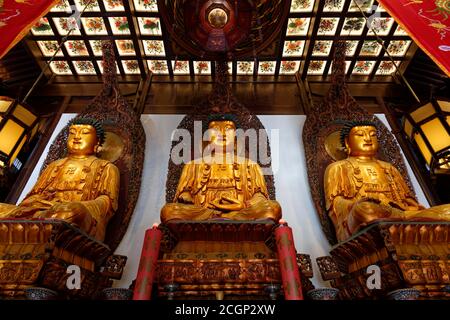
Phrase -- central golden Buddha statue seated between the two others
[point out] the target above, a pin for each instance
(222, 187)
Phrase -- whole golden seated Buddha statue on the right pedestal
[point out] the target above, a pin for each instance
(362, 189)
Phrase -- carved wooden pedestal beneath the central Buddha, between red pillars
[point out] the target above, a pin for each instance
(220, 260)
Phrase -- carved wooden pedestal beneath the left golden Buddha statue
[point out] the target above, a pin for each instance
(37, 253)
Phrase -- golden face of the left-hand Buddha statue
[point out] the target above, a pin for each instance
(82, 139)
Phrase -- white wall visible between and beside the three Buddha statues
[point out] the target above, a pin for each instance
(291, 181)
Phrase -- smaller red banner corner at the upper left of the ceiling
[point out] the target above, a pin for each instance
(16, 19)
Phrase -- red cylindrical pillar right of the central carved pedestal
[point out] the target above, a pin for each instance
(290, 275)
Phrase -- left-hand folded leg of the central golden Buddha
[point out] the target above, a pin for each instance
(181, 211)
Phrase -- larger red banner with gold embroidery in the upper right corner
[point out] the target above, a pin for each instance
(428, 23)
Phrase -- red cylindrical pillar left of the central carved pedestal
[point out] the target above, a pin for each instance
(147, 265)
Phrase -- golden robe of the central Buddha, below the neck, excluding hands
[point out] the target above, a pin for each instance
(205, 182)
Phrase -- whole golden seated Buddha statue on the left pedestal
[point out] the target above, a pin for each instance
(81, 188)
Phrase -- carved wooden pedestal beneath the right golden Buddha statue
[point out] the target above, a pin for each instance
(409, 254)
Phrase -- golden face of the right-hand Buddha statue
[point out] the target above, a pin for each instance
(362, 141)
